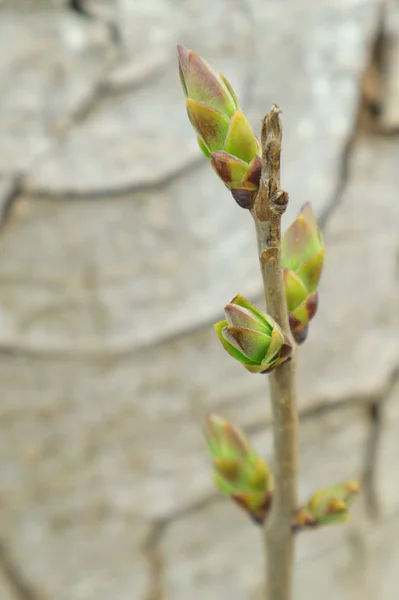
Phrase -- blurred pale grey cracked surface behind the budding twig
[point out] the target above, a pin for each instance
(118, 250)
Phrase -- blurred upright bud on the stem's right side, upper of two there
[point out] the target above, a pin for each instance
(302, 251)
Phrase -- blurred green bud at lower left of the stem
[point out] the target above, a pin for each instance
(239, 472)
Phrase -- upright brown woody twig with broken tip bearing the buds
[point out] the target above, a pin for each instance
(268, 208)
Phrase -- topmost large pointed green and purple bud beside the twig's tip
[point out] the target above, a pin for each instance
(224, 133)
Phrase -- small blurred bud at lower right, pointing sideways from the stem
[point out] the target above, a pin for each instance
(327, 507)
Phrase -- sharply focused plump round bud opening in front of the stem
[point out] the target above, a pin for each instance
(252, 337)
